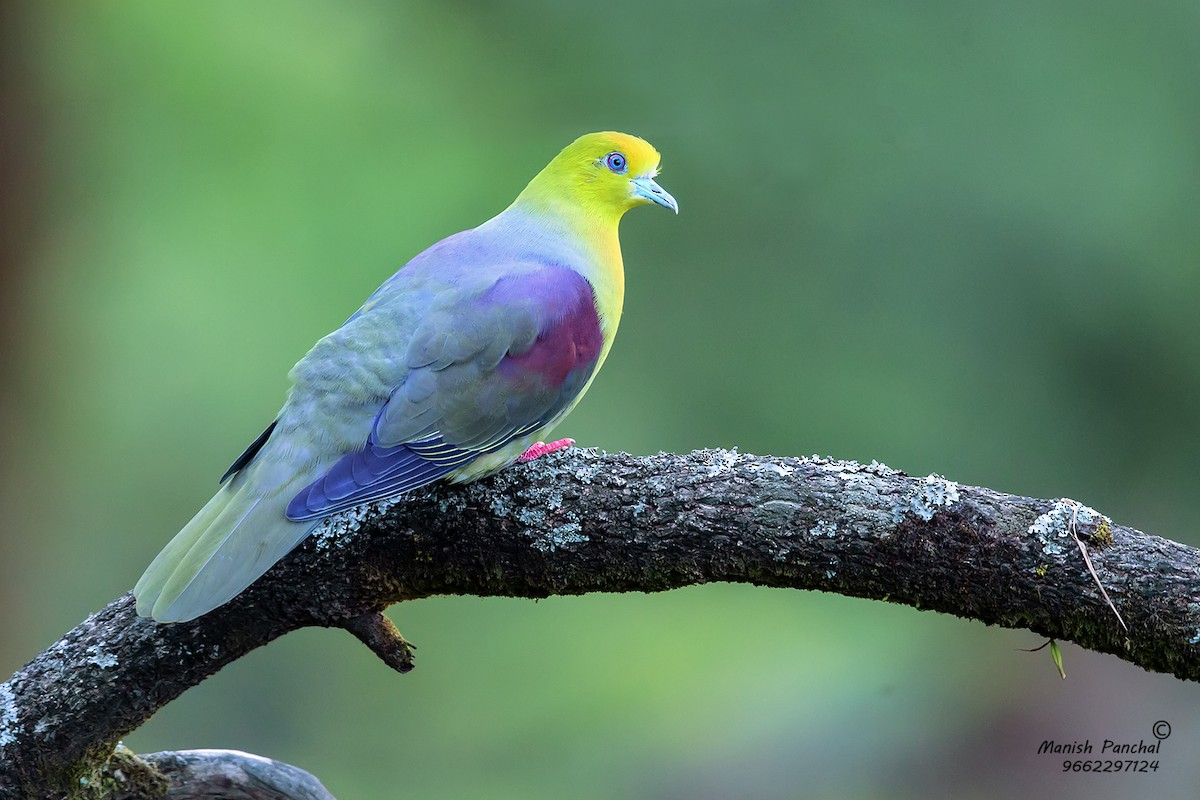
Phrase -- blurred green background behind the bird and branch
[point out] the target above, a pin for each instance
(956, 238)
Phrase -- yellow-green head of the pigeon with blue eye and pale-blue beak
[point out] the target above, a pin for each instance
(602, 175)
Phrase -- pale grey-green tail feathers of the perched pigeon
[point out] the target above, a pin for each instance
(227, 546)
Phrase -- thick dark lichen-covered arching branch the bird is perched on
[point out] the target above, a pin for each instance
(586, 522)
